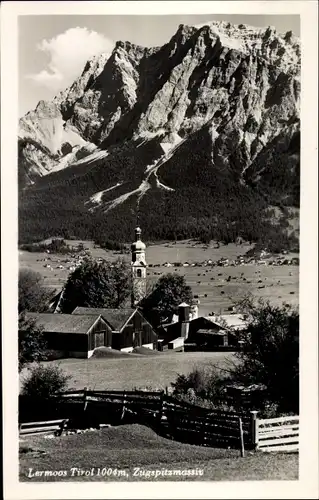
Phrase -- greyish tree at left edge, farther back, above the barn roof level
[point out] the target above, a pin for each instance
(33, 296)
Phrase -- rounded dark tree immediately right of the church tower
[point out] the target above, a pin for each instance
(162, 302)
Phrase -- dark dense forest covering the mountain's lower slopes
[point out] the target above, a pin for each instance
(208, 200)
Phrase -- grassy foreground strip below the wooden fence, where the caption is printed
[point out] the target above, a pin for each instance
(120, 449)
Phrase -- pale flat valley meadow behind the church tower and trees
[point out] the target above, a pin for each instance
(215, 290)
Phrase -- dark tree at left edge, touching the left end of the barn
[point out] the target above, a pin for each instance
(32, 343)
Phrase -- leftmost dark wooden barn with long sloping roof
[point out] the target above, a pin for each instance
(72, 336)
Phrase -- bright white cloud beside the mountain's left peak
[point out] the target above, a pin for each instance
(68, 53)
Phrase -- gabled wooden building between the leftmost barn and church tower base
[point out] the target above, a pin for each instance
(128, 326)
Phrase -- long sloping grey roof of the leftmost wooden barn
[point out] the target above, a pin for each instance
(63, 323)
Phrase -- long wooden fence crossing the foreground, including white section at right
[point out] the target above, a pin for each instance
(167, 415)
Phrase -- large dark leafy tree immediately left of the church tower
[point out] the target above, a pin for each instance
(97, 284)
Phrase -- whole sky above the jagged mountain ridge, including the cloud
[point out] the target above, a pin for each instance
(53, 49)
